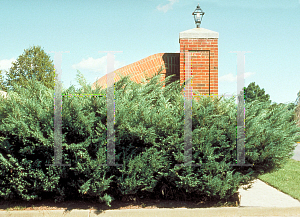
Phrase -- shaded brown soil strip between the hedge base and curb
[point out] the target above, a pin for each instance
(144, 203)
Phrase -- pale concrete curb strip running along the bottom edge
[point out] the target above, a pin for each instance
(179, 212)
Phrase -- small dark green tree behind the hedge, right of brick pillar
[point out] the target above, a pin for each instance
(253, 92)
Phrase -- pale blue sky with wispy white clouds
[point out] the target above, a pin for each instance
(269, 29)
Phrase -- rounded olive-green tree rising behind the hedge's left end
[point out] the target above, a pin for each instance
(33, 63)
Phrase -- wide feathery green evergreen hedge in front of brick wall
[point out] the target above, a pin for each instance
(149, 132)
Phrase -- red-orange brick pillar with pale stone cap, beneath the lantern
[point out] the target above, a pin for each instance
(202, 44)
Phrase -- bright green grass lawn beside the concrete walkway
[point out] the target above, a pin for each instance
(286, 180)
